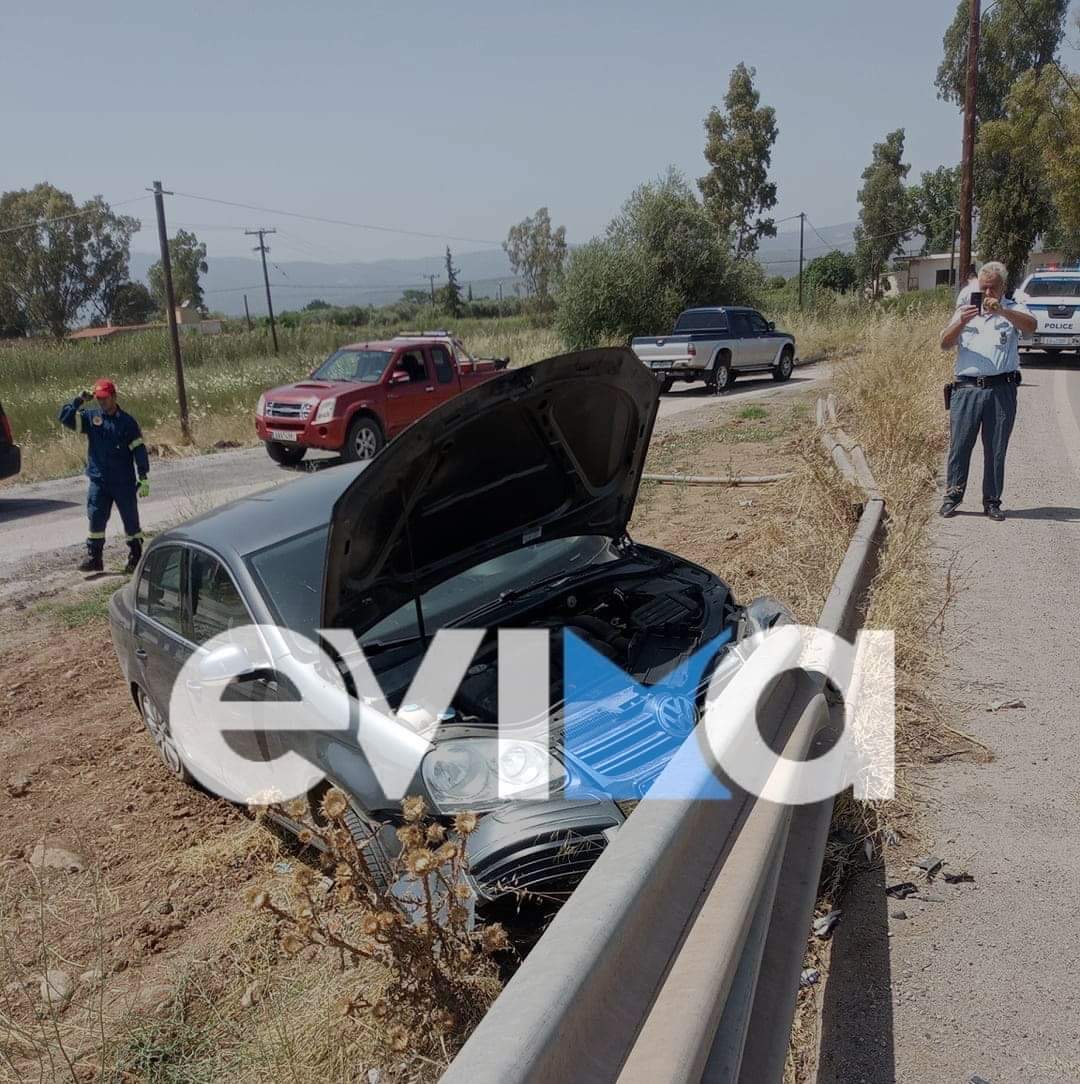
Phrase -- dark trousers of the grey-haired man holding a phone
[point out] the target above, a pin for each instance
(989, 411)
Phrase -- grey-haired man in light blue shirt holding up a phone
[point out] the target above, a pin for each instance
(984, 393)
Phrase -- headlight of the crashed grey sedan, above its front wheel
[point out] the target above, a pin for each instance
(464, 773)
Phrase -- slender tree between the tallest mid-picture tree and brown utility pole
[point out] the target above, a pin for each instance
(884, 215)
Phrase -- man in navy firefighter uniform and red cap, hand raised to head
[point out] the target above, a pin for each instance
(115, 453)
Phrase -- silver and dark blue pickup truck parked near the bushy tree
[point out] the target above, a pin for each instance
(716, 345)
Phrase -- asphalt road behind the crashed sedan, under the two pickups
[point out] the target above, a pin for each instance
(43, 525)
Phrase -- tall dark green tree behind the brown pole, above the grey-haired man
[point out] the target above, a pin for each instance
(1014, 203)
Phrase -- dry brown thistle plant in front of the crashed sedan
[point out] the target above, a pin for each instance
(442, 975)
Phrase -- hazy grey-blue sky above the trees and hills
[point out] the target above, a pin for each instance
(458, 118)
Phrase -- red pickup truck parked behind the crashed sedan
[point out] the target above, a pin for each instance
(366, 394)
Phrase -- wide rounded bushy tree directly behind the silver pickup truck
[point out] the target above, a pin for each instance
(658, 257)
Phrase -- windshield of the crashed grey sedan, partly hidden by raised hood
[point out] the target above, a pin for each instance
(290, 575)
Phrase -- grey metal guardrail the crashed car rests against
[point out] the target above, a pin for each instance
(678, 957)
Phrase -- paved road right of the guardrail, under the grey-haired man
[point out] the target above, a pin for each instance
(982, 978)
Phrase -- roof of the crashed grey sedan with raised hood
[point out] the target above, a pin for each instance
(269, 517)
